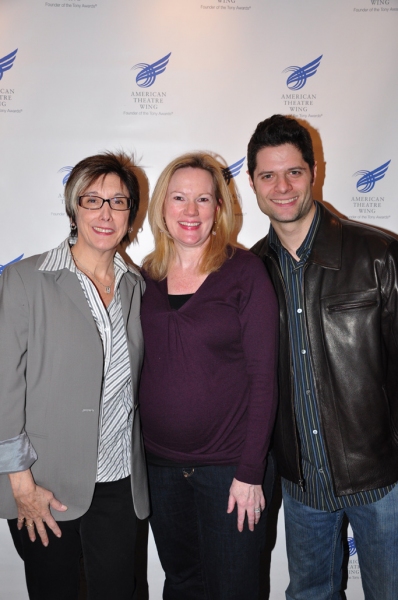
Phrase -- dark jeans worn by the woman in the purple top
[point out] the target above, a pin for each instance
(202, 552)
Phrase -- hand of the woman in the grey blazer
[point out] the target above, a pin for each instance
(33, 504)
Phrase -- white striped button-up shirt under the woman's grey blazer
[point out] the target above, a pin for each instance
(114, 447)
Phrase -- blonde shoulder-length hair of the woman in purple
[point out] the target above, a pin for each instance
(220, 246)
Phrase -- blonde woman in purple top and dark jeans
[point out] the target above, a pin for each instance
(208, 391)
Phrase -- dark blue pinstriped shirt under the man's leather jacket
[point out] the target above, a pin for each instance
(318, 487)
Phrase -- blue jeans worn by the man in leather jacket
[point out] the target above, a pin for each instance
(315, 549)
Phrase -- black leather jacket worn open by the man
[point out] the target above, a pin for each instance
(351, 310)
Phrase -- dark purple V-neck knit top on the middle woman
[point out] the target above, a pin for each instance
(208, 389)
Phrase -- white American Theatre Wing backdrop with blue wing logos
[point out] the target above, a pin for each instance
(161, 77)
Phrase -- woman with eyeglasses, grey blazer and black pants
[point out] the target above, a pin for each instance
(73, 477)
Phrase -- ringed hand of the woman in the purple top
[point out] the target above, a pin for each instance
(249, 500)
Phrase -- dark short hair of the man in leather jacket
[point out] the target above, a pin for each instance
(276, 131)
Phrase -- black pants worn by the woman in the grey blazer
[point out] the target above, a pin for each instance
(105, 535)
